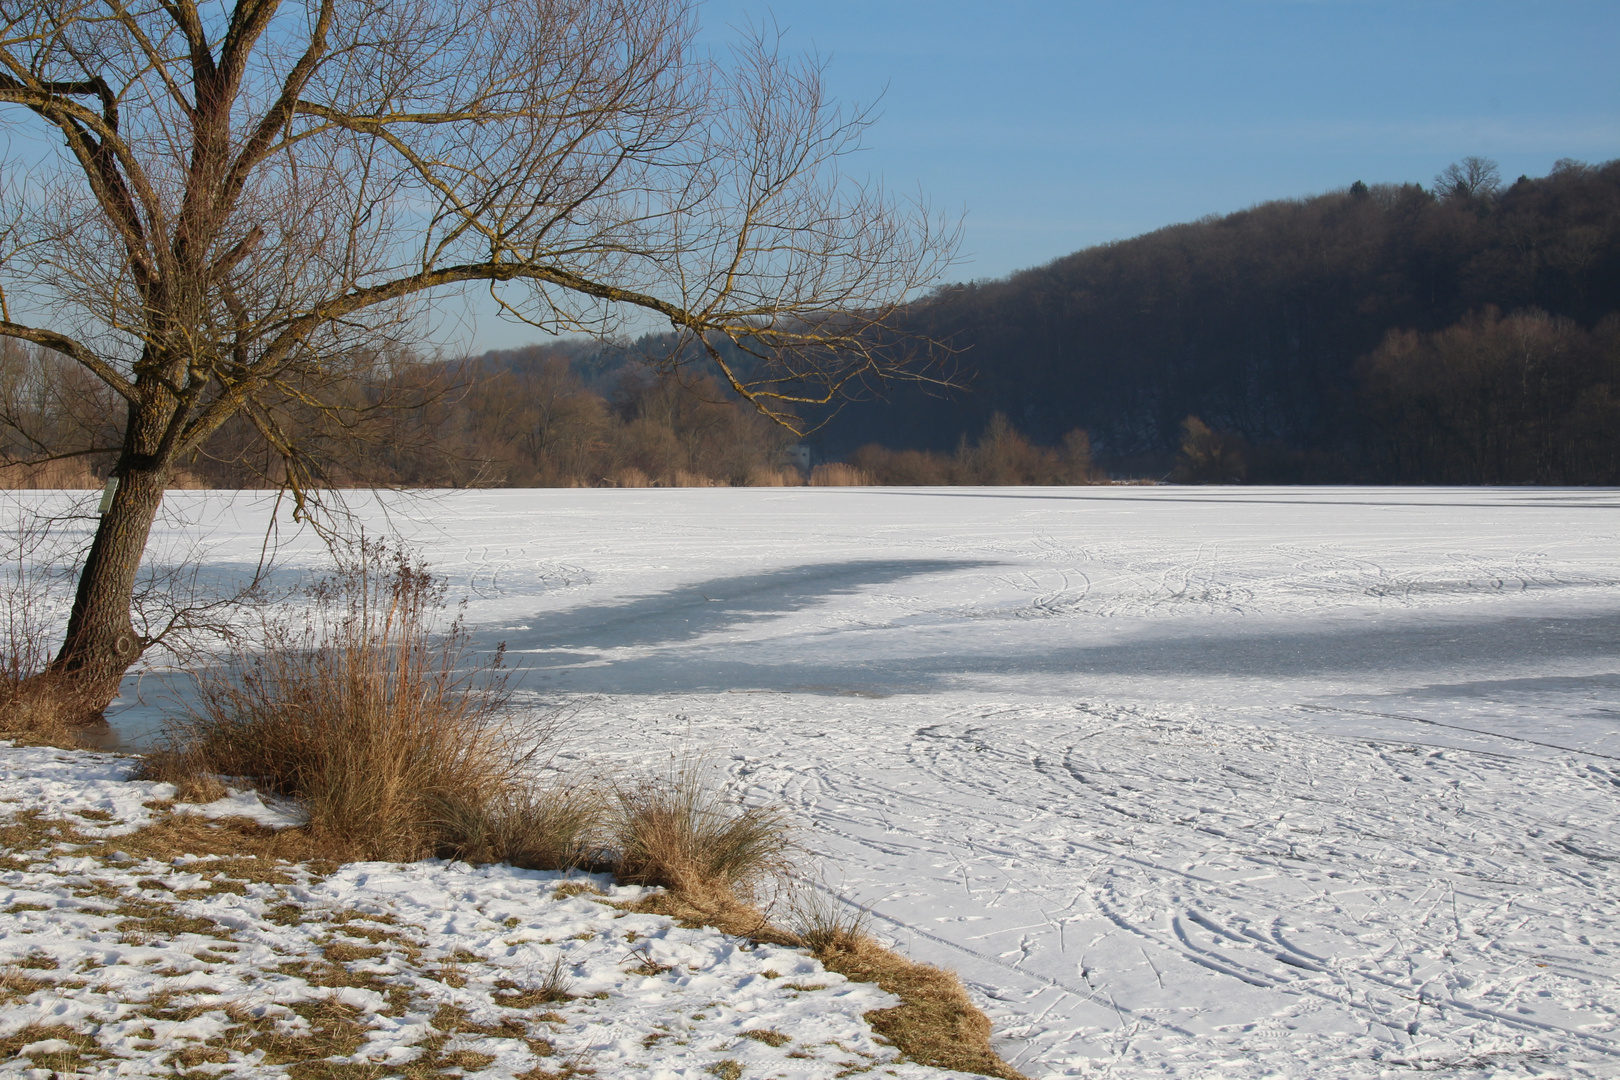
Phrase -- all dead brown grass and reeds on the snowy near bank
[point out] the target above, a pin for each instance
(399, 747)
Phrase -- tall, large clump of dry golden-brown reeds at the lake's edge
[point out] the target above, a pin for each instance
(372, 713)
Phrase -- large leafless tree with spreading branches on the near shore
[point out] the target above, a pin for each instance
(221, 202)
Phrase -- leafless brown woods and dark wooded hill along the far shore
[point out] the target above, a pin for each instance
(1464, 333)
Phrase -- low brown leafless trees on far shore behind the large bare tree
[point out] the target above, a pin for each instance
(519, 420)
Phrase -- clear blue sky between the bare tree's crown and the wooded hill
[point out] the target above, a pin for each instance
(1057, 125)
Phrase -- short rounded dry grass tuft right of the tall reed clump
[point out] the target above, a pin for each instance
(681, 833)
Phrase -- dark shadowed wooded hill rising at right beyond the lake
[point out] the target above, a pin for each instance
(1464, 333)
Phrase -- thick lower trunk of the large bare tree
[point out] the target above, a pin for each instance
(101, 642)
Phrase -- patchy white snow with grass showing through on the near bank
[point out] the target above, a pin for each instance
(647, 997)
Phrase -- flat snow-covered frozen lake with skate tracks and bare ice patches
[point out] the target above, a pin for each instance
(1183, 781)
